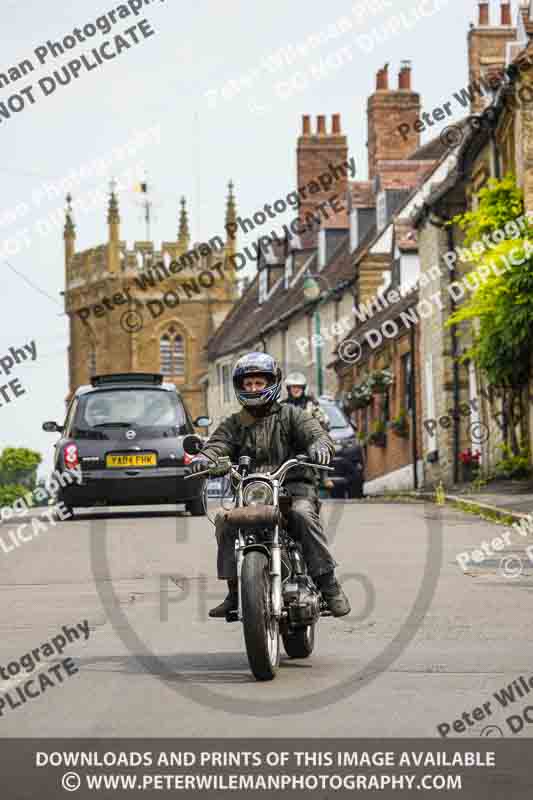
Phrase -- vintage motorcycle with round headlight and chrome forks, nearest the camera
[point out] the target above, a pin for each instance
(276, 595)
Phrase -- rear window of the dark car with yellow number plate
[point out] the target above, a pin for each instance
(120, 408)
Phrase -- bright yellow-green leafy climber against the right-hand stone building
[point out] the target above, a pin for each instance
(500, 309)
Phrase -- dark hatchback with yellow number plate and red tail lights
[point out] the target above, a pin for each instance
(126, 433)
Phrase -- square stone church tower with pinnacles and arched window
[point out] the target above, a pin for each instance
(147, 309)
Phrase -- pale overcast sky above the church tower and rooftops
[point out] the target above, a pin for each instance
(205, 139)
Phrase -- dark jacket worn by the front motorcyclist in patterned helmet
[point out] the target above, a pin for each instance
(282, 433)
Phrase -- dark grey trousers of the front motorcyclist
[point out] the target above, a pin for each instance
(304, 526)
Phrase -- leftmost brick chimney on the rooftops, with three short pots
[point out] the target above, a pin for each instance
(318, 153)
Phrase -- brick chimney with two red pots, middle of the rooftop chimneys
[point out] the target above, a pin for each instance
(387, 110)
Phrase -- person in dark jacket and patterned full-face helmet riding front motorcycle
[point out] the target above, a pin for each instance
(271, 433)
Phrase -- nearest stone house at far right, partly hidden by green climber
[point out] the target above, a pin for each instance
(469, 413)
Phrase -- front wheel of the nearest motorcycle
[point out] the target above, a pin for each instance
(261, 629)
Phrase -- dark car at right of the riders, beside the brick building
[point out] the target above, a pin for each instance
(348, 462)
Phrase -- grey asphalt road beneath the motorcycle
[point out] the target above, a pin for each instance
(423, 644)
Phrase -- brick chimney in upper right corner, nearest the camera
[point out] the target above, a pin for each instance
(486, 49)
